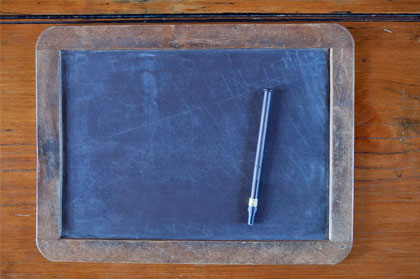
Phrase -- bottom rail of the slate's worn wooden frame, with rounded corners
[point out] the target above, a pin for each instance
(197, 252)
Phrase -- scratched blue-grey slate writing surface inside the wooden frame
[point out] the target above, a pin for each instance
(160, 144)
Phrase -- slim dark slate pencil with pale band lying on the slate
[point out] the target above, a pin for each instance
(253, 200)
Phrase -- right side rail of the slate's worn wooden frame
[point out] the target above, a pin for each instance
(341, 143)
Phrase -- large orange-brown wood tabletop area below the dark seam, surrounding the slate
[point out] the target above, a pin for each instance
(387, 163)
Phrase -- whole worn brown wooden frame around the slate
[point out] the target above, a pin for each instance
(194, 36)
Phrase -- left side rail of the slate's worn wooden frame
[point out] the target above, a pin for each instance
(48, 144)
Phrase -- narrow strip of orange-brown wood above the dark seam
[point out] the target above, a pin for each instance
(49, 7)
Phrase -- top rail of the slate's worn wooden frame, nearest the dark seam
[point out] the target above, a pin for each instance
(195, 36)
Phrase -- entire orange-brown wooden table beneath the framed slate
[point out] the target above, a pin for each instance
(387, 142)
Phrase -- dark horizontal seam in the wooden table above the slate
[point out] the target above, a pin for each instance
(222, 17)
